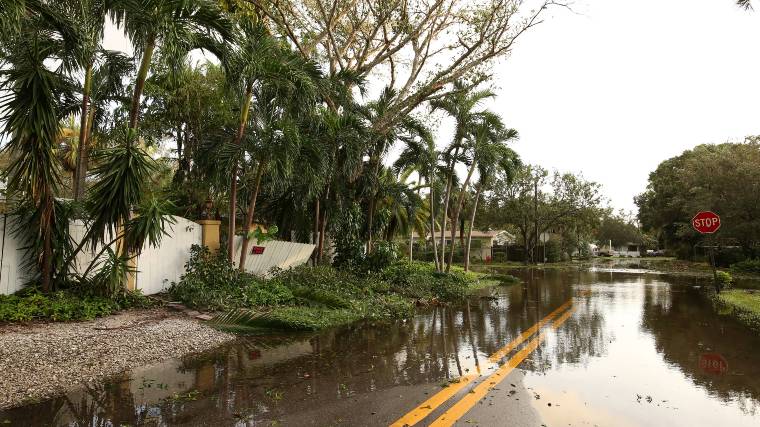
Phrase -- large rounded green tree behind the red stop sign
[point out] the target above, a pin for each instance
(723, 178)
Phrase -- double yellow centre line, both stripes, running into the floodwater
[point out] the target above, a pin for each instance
(466, 403)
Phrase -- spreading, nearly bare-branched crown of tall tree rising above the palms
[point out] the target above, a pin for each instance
(408, 39)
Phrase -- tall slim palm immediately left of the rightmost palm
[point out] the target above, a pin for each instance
(459, 104)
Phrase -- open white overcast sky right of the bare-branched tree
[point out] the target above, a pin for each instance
(620, 85)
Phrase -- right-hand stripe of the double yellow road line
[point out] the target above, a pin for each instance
(480, 391)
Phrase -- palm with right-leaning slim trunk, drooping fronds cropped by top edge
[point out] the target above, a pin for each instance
(174, 27)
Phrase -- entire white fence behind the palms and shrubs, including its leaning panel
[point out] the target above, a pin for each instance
(156, 267)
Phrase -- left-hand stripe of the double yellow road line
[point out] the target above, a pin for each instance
(428, 406)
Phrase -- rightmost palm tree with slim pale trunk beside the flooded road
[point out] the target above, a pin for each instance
(492, 156)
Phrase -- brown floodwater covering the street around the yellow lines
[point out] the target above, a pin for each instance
(639, 350)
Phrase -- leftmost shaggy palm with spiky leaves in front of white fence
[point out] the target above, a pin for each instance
(36, 98)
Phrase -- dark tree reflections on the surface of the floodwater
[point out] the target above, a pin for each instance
(268, 378)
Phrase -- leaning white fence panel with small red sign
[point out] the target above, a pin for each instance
(276, 254)
